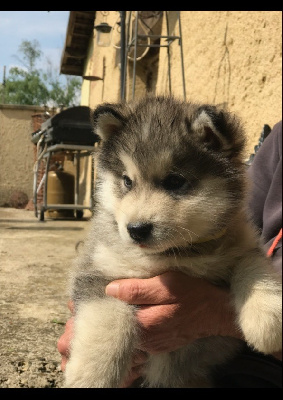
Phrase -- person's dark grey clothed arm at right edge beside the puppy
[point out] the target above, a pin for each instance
(265, 194)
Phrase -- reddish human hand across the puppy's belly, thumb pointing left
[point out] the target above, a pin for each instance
(176, 309)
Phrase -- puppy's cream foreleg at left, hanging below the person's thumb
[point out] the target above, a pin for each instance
(104, 339)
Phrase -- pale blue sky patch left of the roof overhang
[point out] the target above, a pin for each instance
(48, 28)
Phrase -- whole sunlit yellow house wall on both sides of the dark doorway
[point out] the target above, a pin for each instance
(233, 58)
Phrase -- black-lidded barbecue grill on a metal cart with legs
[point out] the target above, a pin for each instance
(68, 133)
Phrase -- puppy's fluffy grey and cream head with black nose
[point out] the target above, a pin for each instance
(171, 172)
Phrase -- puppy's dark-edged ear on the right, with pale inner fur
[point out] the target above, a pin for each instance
(218, 130)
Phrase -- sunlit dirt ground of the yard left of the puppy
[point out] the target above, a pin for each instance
(35, 258)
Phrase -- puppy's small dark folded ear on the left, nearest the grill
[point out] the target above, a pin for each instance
(107, 119)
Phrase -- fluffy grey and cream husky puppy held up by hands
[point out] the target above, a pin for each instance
(170, 196)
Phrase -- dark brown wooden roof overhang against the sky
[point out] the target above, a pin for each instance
(79, 32)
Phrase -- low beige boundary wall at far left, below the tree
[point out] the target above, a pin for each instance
(16, 150)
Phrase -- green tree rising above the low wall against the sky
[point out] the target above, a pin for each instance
(32, 86)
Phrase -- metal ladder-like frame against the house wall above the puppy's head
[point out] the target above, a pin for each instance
(136, 40)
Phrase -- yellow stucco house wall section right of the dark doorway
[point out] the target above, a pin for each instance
(233, 58)
